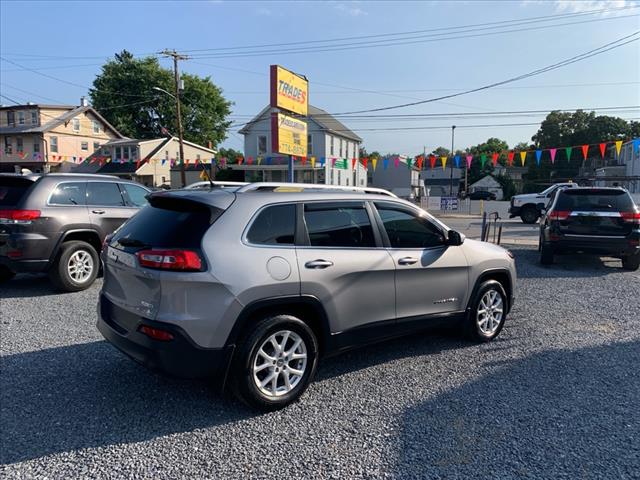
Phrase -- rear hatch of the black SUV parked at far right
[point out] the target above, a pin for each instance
(595, 212)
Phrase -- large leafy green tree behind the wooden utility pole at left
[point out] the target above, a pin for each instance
(123, 93)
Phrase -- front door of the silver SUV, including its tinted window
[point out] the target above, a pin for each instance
(431, 277)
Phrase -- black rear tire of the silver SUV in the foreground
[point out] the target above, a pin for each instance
(242, 379)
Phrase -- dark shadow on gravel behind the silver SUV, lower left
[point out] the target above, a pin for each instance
(90, 395)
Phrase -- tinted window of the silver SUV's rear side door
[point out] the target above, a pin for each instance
(338, 225)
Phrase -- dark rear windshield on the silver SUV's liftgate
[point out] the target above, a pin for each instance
(169, 225)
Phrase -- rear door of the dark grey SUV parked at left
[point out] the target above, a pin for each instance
(106, 205)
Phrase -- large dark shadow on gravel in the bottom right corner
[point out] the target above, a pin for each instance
(556, 414)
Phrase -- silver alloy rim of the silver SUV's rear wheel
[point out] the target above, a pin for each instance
(280, 363)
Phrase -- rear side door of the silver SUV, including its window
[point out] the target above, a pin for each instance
(345, 266)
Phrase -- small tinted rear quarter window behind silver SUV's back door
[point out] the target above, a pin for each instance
(274, 225)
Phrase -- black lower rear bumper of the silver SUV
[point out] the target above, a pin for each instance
(179, 357)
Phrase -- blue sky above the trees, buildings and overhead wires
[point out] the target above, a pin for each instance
(397, 74)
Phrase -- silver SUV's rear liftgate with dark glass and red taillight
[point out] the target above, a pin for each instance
(160, 243)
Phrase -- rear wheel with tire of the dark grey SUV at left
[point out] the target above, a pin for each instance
(76, 266)
